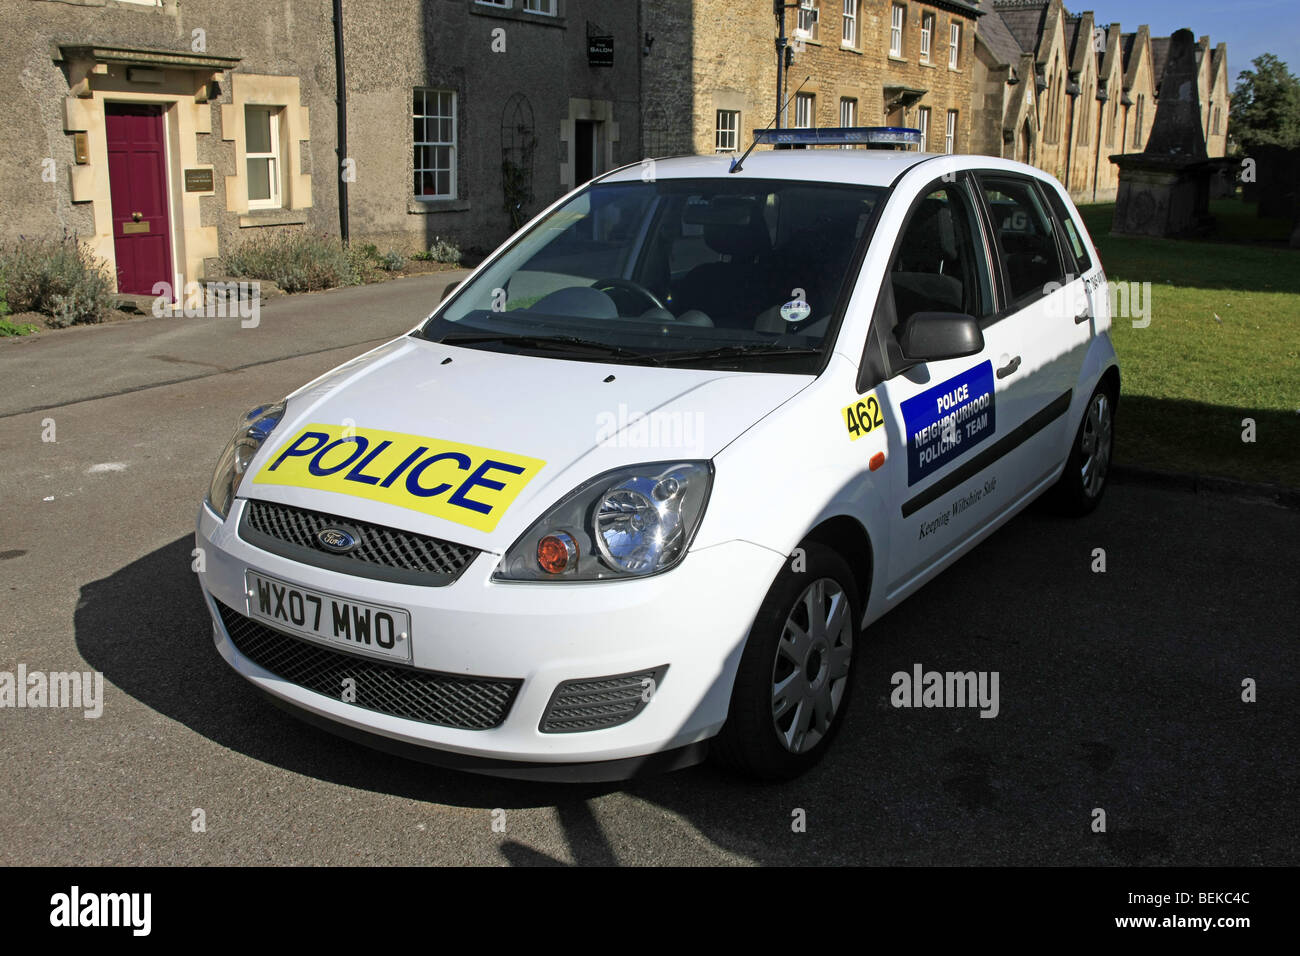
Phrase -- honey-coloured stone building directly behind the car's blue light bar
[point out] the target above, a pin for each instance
(710, 79)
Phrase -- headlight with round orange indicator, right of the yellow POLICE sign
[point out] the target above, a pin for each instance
(626, 524)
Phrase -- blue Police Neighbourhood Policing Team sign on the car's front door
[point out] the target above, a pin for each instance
(948, 421)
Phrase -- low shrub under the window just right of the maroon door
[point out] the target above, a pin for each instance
(298, 262)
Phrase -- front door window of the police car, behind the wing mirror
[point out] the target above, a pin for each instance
(941, 265)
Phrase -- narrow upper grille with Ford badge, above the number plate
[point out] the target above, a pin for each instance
(382, 552)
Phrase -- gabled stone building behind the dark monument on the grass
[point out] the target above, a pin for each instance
(1065, 93)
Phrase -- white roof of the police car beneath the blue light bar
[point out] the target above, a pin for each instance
(853, 167)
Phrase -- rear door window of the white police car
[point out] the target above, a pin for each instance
(1026, 237)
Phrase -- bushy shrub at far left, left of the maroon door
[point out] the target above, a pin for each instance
(60, 279)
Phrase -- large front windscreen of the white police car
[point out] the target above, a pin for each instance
(708, 274)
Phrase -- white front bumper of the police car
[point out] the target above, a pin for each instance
(695, 620)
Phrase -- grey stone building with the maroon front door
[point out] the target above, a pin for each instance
(166, 133)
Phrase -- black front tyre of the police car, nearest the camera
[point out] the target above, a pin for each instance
(759, 742)
